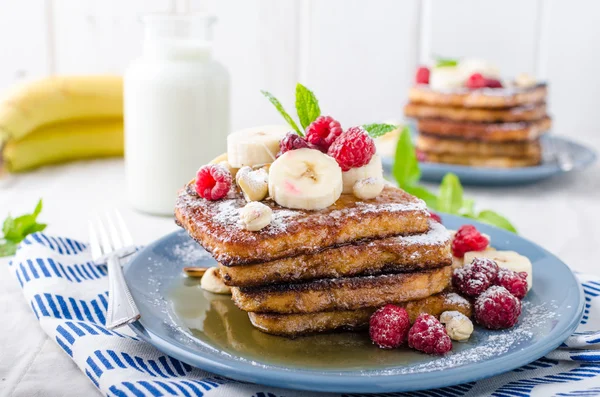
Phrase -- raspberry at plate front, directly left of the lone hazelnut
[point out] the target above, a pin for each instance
(429, 335)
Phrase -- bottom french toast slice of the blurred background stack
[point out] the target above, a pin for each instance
(483, 161)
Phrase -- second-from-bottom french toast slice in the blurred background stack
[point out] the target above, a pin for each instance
(432, 144)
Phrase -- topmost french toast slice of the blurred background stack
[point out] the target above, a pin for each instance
(481, 98)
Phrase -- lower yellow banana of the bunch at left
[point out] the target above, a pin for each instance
(64, 141)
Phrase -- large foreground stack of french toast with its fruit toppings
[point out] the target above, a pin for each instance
(336, 245)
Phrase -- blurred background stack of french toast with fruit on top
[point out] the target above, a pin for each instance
(466, 114)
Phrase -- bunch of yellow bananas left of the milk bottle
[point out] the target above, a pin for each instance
(59, 119)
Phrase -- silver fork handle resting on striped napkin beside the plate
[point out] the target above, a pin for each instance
(121, 307)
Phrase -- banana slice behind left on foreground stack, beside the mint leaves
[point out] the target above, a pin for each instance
(253, 146)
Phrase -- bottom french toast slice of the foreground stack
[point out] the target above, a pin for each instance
(293, 325)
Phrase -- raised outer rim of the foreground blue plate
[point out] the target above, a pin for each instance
(351, 381)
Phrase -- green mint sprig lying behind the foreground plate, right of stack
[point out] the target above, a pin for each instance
(450, 197)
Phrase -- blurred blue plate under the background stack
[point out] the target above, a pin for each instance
(561, 156)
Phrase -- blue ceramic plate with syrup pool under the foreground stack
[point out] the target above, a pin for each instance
(207, 331)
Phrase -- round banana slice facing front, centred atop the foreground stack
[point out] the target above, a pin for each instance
(305, 179)
